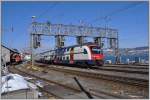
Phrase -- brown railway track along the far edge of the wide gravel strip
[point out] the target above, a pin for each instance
(85, 73)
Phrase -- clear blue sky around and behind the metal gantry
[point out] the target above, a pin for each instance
(132, 23)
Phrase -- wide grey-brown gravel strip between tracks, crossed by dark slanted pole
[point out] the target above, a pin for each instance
(89, 83)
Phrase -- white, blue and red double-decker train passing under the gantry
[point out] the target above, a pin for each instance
(85, 54)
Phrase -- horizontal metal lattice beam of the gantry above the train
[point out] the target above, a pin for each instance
(72, 30)
